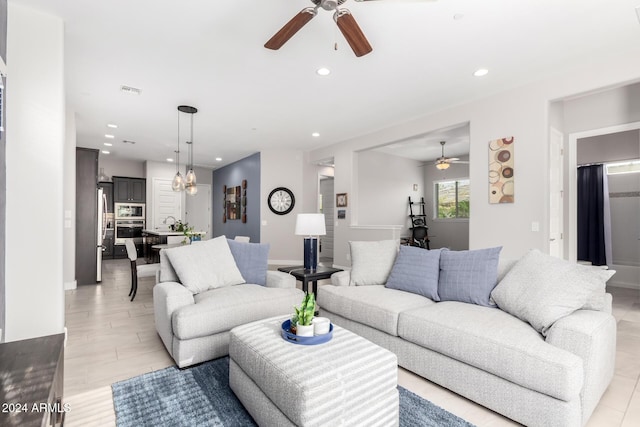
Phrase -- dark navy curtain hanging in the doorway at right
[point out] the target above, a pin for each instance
(591, 221)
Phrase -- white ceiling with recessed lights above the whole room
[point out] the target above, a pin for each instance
(210, 54)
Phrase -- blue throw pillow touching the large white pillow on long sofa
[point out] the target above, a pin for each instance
(469, 276)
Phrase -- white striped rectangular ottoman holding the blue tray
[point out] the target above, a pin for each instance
(347, 381)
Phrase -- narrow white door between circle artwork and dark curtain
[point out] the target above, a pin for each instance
(556, 242)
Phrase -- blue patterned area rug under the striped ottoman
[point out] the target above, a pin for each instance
(201, 396)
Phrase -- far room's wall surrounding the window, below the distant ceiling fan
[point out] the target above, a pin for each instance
(445, 233)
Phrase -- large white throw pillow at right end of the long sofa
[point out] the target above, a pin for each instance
(540, 289)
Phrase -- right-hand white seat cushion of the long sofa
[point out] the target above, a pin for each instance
(496, 342)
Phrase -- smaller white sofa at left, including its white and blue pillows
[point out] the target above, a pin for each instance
(205, 289)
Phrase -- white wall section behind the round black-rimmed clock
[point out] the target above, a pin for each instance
(283, 168)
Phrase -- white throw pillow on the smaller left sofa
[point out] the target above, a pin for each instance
(205, 265)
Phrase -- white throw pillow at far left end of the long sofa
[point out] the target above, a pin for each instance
(371, 262)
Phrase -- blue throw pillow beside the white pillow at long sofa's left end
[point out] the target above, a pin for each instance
(416, 270)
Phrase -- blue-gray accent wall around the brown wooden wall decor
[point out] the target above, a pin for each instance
(233, 175)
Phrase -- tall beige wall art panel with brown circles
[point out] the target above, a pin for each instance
(501, 161)
